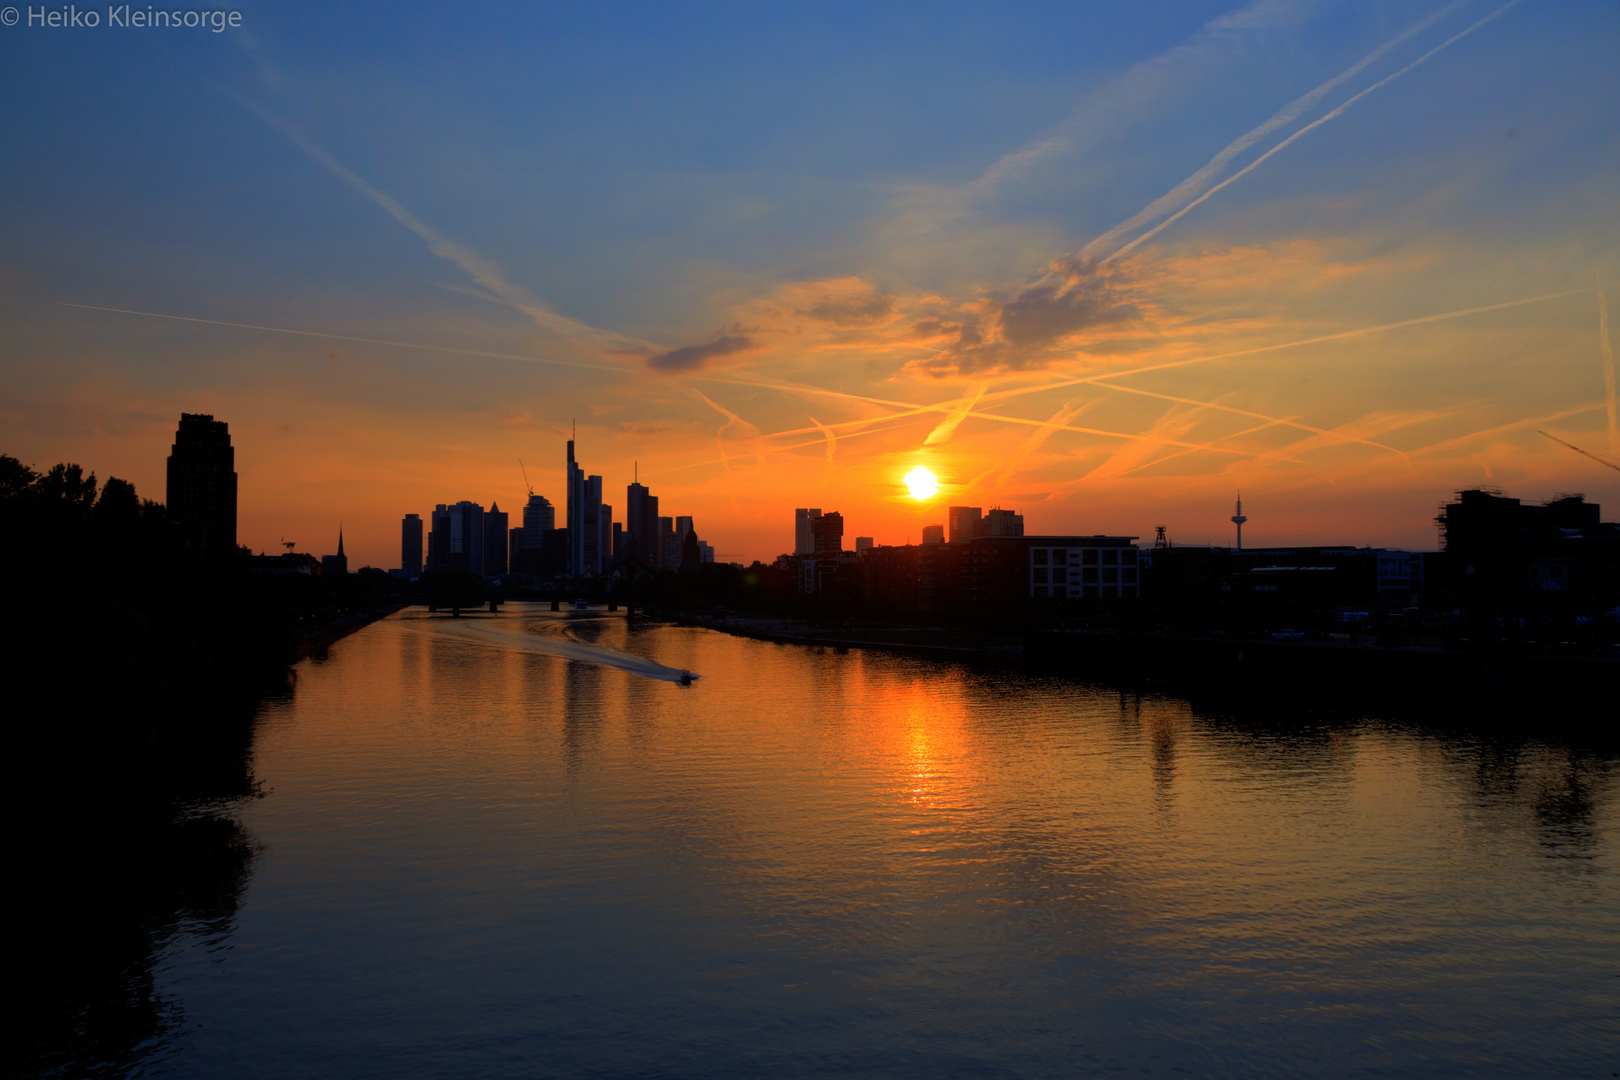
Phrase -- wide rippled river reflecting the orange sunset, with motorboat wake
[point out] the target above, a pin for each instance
(516, 846)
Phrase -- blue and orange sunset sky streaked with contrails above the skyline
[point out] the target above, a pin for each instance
(1104, 265)
